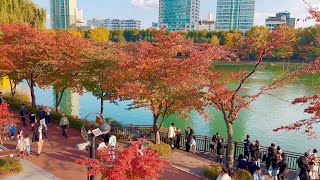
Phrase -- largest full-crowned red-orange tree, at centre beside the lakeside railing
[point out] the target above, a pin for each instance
(165, 76)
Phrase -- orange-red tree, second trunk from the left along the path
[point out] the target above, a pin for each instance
(67, 73)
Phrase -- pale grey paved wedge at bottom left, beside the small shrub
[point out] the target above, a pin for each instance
(31, 172)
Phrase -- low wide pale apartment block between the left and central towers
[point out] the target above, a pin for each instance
(112, 24)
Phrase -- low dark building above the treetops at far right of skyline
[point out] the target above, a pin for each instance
(279, 19)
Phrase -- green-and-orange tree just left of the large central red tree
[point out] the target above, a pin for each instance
(101, 61)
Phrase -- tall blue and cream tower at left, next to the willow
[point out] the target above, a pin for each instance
(63, 13)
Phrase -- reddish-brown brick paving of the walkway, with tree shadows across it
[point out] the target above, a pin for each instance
(59, 154)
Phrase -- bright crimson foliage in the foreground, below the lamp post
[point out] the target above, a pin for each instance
(129, 163)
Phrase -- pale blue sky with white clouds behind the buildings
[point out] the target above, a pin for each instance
(147, 10)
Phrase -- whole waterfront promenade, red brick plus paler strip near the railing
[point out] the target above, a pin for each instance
(60, 153)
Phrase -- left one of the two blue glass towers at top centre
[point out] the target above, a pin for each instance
(176, 15)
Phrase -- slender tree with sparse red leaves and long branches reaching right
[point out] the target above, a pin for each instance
(231, 100)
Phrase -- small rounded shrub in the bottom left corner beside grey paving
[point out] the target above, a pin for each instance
(9, 166)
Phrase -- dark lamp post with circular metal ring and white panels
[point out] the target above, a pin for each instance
(90, 136)
